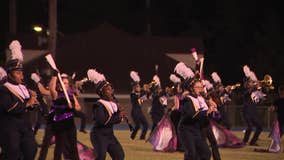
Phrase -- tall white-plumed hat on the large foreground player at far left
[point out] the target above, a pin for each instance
(15, 61)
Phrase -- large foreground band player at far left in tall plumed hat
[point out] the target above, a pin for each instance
(17, 139)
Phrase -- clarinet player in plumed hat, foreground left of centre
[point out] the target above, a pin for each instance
(106, 113)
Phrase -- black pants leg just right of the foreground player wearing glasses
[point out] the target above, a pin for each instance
(208, 133)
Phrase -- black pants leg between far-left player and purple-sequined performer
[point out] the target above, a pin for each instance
(48, 133)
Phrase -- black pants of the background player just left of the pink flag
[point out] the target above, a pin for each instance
(139, 118)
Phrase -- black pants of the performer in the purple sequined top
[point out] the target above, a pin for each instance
(66, 142)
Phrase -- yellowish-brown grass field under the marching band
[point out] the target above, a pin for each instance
(139, 150)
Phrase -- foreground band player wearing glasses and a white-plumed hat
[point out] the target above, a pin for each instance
(194, 112)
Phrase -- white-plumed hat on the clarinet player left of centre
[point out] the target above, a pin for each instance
(98, 79)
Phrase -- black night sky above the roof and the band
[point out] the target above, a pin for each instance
(234, 32)
